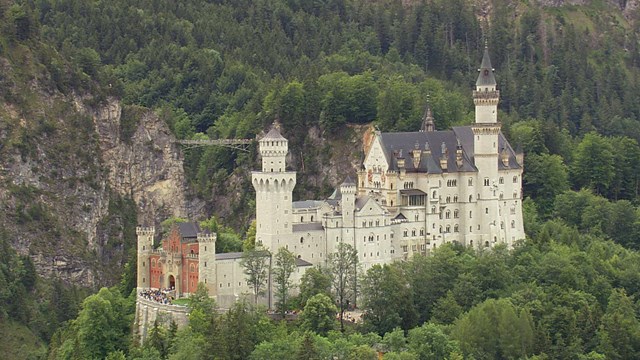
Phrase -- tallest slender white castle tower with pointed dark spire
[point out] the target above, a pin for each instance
(486, 131)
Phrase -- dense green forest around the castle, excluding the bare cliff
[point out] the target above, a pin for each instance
(568, 78)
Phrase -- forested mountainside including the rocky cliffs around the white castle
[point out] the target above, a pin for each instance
(88, 88)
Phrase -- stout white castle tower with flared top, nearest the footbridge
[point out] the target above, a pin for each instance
(274, 187)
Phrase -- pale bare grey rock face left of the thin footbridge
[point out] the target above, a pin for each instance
(147, 167)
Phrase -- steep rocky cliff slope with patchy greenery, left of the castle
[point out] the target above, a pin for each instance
(71, 186)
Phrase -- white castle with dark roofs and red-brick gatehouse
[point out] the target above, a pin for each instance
(414, 192)
